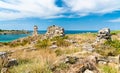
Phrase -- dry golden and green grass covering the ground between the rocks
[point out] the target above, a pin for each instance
(42, 59)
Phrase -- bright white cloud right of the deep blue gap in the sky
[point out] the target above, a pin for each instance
(85, 7)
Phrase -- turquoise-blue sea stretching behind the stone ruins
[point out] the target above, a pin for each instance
(11, 37)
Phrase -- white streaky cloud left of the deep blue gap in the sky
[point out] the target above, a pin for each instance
(28, 8)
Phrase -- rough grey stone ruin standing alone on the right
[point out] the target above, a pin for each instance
(103, 34)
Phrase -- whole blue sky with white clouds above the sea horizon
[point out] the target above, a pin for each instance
(69, 14)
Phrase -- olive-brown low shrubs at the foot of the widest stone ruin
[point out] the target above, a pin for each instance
(59, 41)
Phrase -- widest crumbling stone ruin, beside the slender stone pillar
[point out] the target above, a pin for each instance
(54, 31)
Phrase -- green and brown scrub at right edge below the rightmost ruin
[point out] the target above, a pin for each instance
(109, 48)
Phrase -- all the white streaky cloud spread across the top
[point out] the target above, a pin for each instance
(14, 9)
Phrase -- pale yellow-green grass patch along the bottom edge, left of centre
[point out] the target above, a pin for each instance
(30, 68)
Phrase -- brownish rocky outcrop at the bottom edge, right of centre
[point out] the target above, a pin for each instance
(77, 65)
